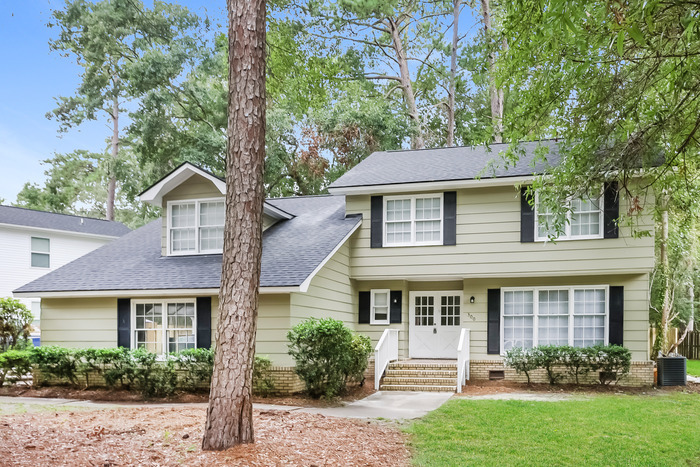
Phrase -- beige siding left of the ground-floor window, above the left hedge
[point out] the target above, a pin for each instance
(79, 322)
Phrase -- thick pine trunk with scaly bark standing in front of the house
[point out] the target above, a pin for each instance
(230, 413)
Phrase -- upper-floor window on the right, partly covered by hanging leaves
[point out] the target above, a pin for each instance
(584, 220)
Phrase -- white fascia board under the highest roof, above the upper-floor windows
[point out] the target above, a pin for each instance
(430, 186)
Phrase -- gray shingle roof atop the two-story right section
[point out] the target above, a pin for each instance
(445, 164)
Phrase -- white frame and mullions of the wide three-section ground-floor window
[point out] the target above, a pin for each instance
(535, 308)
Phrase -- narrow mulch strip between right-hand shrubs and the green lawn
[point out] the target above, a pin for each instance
(484, 387)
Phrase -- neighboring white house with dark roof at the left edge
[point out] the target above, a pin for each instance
(33, 243)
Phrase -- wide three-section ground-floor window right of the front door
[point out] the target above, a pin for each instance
(532, 316)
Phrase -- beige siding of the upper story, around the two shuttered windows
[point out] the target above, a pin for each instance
(488, 244)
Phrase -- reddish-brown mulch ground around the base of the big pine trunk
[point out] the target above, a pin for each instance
(170, 436)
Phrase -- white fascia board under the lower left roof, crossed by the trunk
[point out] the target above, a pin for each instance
(143, 293)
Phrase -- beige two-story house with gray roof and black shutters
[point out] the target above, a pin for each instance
(425, 251)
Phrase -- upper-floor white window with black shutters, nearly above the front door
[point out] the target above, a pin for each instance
(413, 220)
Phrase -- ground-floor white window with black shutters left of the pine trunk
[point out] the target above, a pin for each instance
(162, 326)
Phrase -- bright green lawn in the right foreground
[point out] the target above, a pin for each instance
(659, 430)
